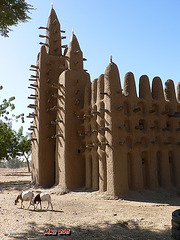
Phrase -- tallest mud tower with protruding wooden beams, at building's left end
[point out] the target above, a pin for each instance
(50, 64)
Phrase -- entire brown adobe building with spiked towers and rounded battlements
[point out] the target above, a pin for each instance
(99, 134)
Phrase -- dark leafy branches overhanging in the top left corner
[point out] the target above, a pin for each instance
(13, 12)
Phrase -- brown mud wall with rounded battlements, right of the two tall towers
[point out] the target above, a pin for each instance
(139, 145)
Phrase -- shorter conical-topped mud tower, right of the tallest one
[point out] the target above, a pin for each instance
(70, 159)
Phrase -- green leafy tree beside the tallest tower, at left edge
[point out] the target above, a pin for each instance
(12, 144)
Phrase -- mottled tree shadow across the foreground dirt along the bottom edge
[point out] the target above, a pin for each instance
(128, 230)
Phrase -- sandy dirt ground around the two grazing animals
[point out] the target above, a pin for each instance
(89, 215)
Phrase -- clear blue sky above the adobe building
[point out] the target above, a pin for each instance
(143, 36)
